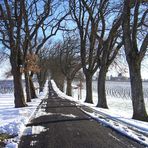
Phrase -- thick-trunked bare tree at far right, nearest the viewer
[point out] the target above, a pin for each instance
(135, 37)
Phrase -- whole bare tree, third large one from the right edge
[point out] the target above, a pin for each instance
(87, 32)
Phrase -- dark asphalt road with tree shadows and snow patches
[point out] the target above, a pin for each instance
(59, 123)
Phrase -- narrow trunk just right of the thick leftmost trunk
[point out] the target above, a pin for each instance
(28, 93)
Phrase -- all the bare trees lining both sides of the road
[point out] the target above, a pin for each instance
(102, 28)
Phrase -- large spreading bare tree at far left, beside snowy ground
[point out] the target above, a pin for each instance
(22, 23)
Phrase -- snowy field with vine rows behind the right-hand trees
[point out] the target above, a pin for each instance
(118, 96)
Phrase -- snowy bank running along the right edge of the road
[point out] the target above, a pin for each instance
(119, 115)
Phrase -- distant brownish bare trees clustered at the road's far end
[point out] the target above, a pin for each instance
(63, 60)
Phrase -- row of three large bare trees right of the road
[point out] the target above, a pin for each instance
(104, 28)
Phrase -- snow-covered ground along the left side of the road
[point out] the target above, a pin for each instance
(13, 120)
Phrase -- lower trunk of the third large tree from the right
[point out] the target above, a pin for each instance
(88, 89)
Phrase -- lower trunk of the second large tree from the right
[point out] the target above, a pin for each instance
(102, 102)
